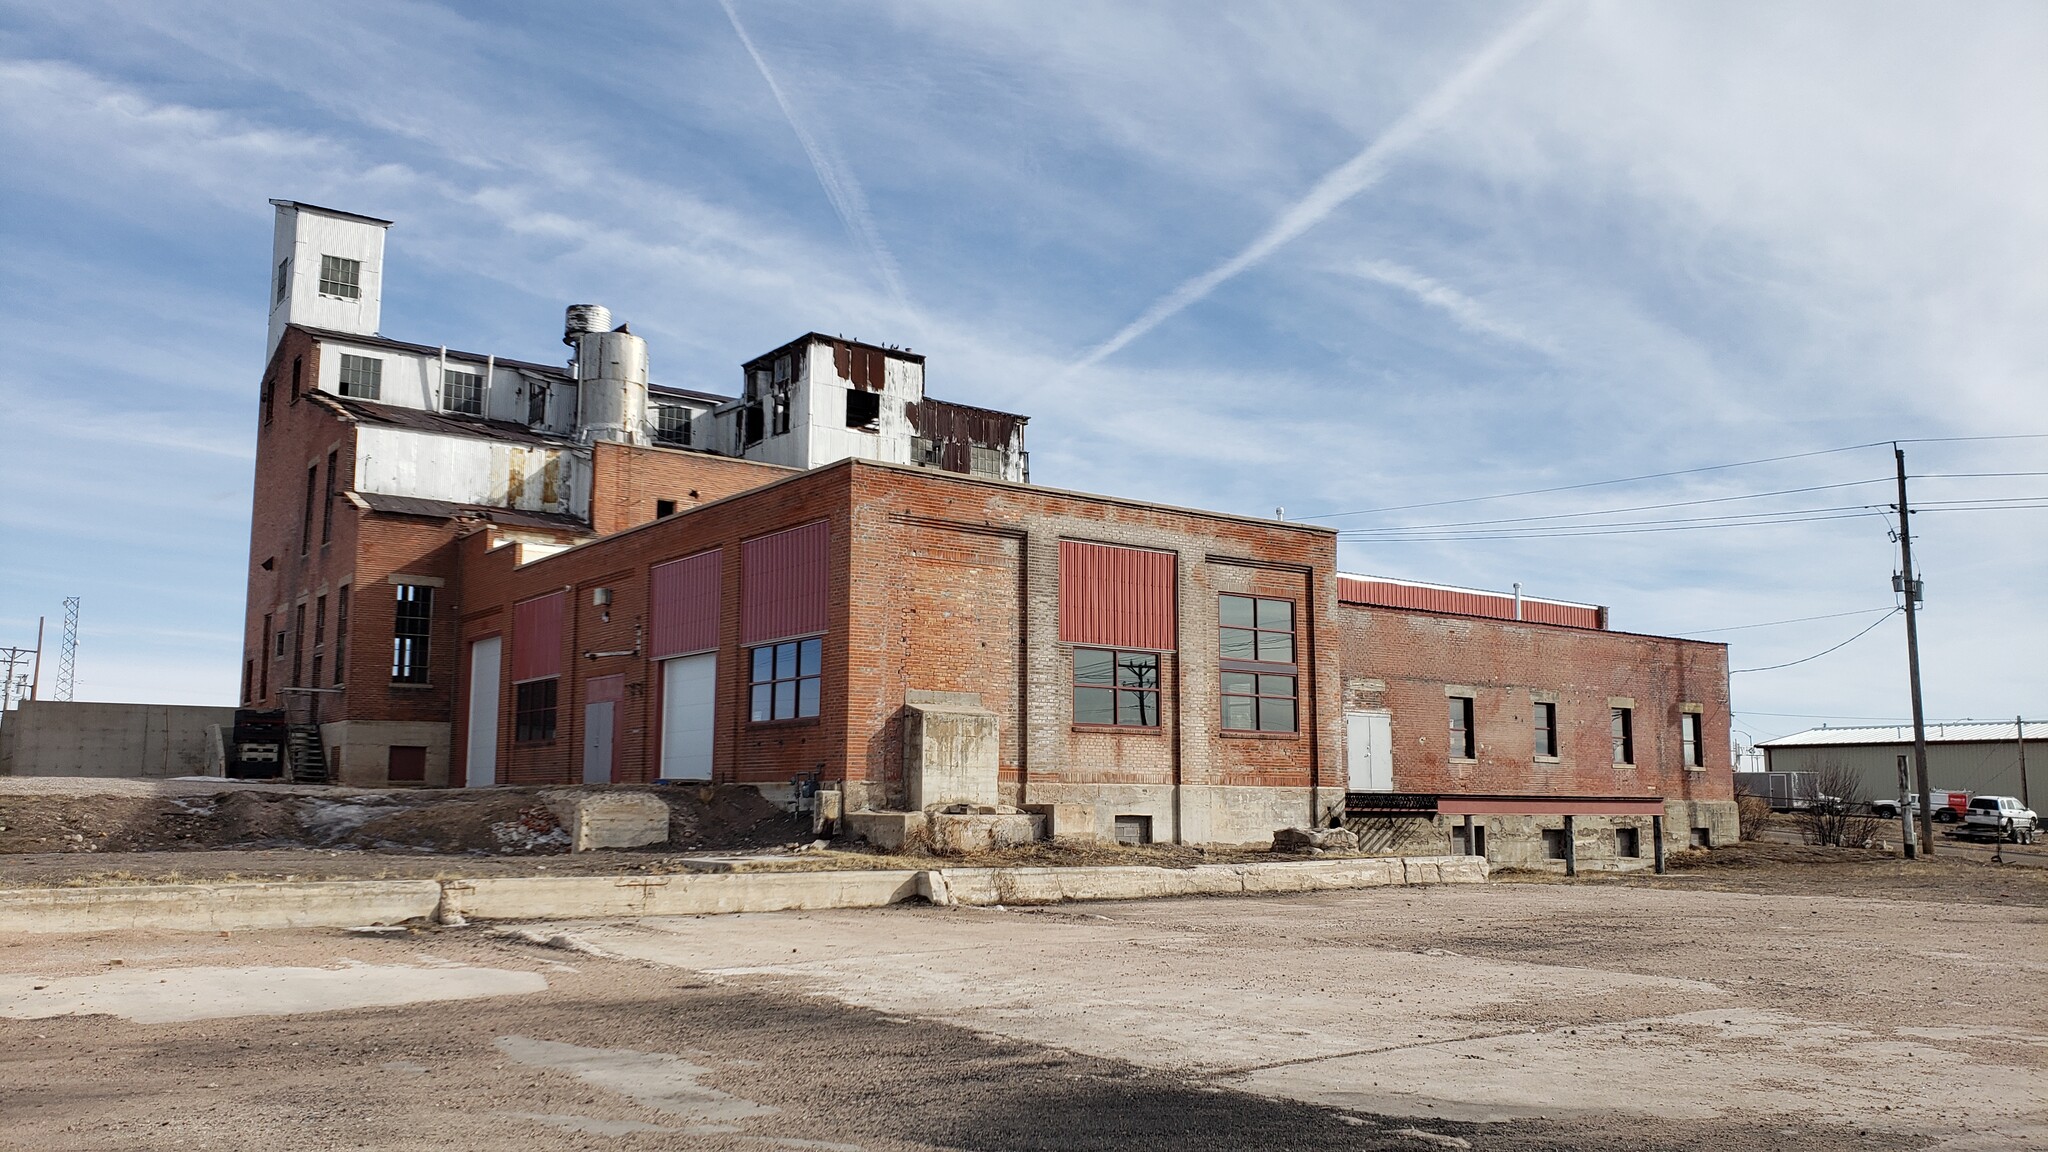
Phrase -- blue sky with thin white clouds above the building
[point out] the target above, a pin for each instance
(1324, 257)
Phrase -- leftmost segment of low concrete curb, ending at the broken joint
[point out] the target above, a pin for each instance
(216, 907)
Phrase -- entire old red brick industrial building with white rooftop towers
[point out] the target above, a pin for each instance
(484, 571)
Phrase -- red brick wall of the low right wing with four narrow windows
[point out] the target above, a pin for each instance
(1416, 655)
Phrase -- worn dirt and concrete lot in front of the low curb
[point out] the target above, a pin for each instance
(1709, 1010)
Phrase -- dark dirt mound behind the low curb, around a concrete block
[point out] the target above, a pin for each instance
(503, 821)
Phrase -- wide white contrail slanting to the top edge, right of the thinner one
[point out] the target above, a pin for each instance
(1347, 181)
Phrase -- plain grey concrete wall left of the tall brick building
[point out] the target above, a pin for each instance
(87, 739)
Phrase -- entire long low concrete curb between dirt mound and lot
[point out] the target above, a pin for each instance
(337, 905)
